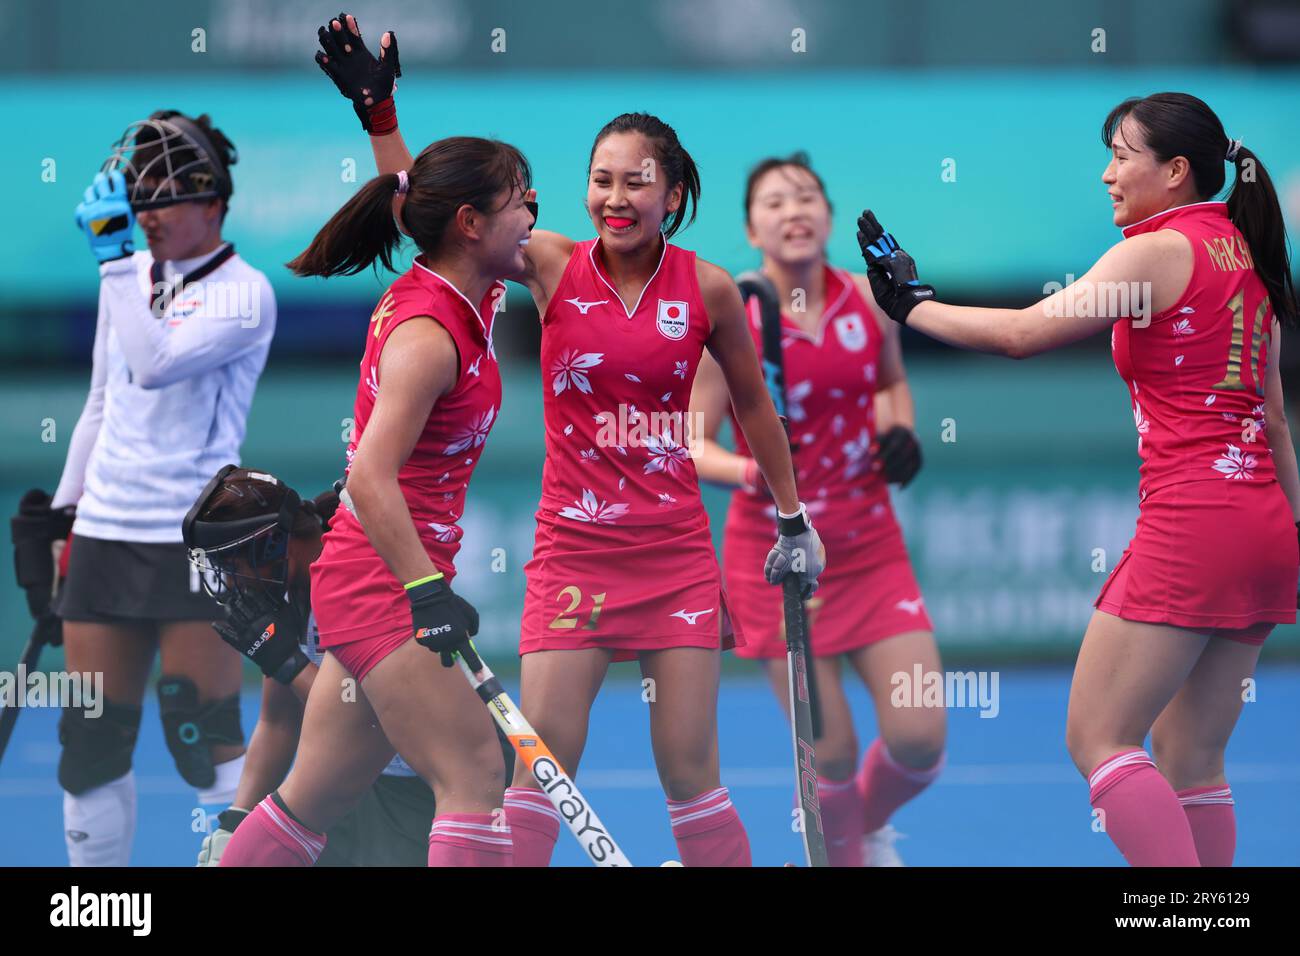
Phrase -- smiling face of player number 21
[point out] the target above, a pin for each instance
(627, 198)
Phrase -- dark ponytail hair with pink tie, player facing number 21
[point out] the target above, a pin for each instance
(449, 174)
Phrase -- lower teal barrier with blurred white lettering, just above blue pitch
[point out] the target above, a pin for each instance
(1003, 524)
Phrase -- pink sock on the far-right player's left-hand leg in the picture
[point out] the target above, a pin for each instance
(1143, 817)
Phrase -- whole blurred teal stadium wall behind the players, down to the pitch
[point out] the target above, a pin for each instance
(972, 129)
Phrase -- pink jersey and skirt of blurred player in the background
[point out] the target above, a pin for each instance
(869, 591)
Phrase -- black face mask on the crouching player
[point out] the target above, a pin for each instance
(261, 540)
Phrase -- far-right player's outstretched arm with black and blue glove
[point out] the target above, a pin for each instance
(1156, 267)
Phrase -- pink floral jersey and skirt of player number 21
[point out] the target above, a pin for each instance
(623, 557)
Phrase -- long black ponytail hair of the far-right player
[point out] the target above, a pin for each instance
(1177, 124)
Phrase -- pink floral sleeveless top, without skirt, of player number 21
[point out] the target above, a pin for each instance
(617, 393)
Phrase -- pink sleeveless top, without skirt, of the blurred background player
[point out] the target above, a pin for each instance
(830, 383)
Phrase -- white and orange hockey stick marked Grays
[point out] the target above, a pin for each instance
(556, 784)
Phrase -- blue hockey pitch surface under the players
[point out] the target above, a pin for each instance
(1008, 798)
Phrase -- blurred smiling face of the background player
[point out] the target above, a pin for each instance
(790, 218)
